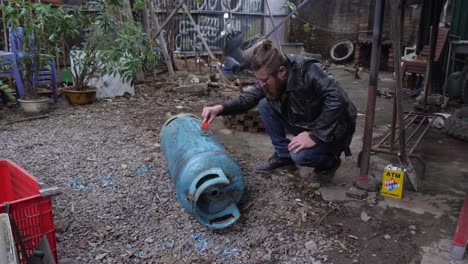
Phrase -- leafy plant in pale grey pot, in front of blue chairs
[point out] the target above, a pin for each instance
(35, 31)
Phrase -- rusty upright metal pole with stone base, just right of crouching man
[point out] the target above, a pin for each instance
(363, 181)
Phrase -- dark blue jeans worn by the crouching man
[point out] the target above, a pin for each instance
(321, 156)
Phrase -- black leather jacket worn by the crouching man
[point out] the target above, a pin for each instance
(312, 100)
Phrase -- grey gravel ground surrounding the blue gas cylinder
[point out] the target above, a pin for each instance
(118, 203)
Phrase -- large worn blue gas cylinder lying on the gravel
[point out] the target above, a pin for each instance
(208, 181)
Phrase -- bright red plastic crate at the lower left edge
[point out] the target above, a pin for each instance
(32, 212)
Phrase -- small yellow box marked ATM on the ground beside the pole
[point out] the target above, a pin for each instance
(392, 181)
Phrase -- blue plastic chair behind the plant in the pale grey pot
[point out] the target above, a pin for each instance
(46, 75)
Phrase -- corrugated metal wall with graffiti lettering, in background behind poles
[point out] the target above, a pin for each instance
(247, 15)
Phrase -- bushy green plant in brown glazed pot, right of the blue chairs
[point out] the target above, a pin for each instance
(111, 46)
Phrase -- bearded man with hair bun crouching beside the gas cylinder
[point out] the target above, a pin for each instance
(296, 94)
